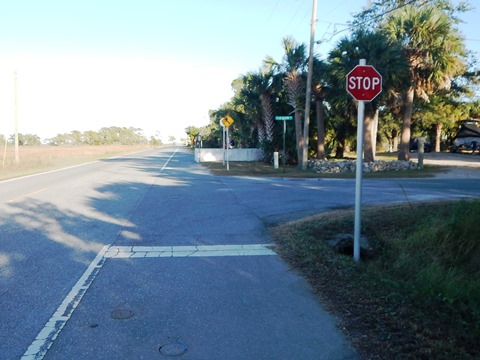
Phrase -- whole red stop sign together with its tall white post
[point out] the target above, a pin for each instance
(364, 83)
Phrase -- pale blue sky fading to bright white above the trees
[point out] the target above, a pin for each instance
(153, 64)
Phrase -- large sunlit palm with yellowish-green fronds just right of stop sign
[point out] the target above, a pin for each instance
(434, 51)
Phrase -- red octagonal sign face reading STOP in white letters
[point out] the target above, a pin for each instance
(364, 82)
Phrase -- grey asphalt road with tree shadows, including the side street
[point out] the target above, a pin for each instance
(149, 256)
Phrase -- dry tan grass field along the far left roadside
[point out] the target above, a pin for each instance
(35, 159)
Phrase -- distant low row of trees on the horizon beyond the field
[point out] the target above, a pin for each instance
(113, 135)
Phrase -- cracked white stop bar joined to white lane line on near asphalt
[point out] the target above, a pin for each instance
(45, 338)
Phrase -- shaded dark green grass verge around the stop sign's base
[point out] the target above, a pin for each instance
(414, 295)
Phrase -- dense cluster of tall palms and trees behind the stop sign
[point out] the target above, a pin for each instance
(429, 84)
